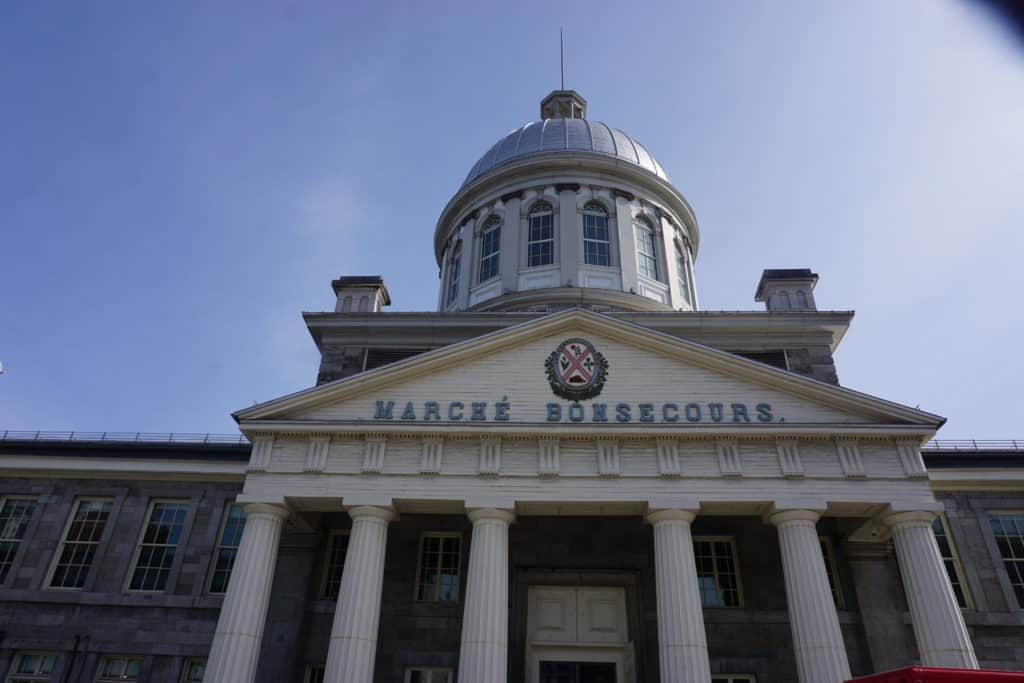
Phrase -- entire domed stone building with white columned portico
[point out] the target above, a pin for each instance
(568, 474)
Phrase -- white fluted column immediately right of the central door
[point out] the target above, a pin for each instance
(681, 637)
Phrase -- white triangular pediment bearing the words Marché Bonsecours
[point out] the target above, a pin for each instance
(652, 378)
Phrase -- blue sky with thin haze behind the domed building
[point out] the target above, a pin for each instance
(180, 181)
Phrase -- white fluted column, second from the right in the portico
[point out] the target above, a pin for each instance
(818, 641)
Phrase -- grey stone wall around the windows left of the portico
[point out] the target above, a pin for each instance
(104, 619)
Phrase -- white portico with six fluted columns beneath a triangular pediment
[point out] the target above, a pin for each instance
(663, 494)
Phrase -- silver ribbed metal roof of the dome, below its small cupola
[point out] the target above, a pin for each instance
(553, 136)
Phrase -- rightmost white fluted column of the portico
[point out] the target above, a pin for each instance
(938, 624)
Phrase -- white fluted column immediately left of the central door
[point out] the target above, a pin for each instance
(484, 655)
